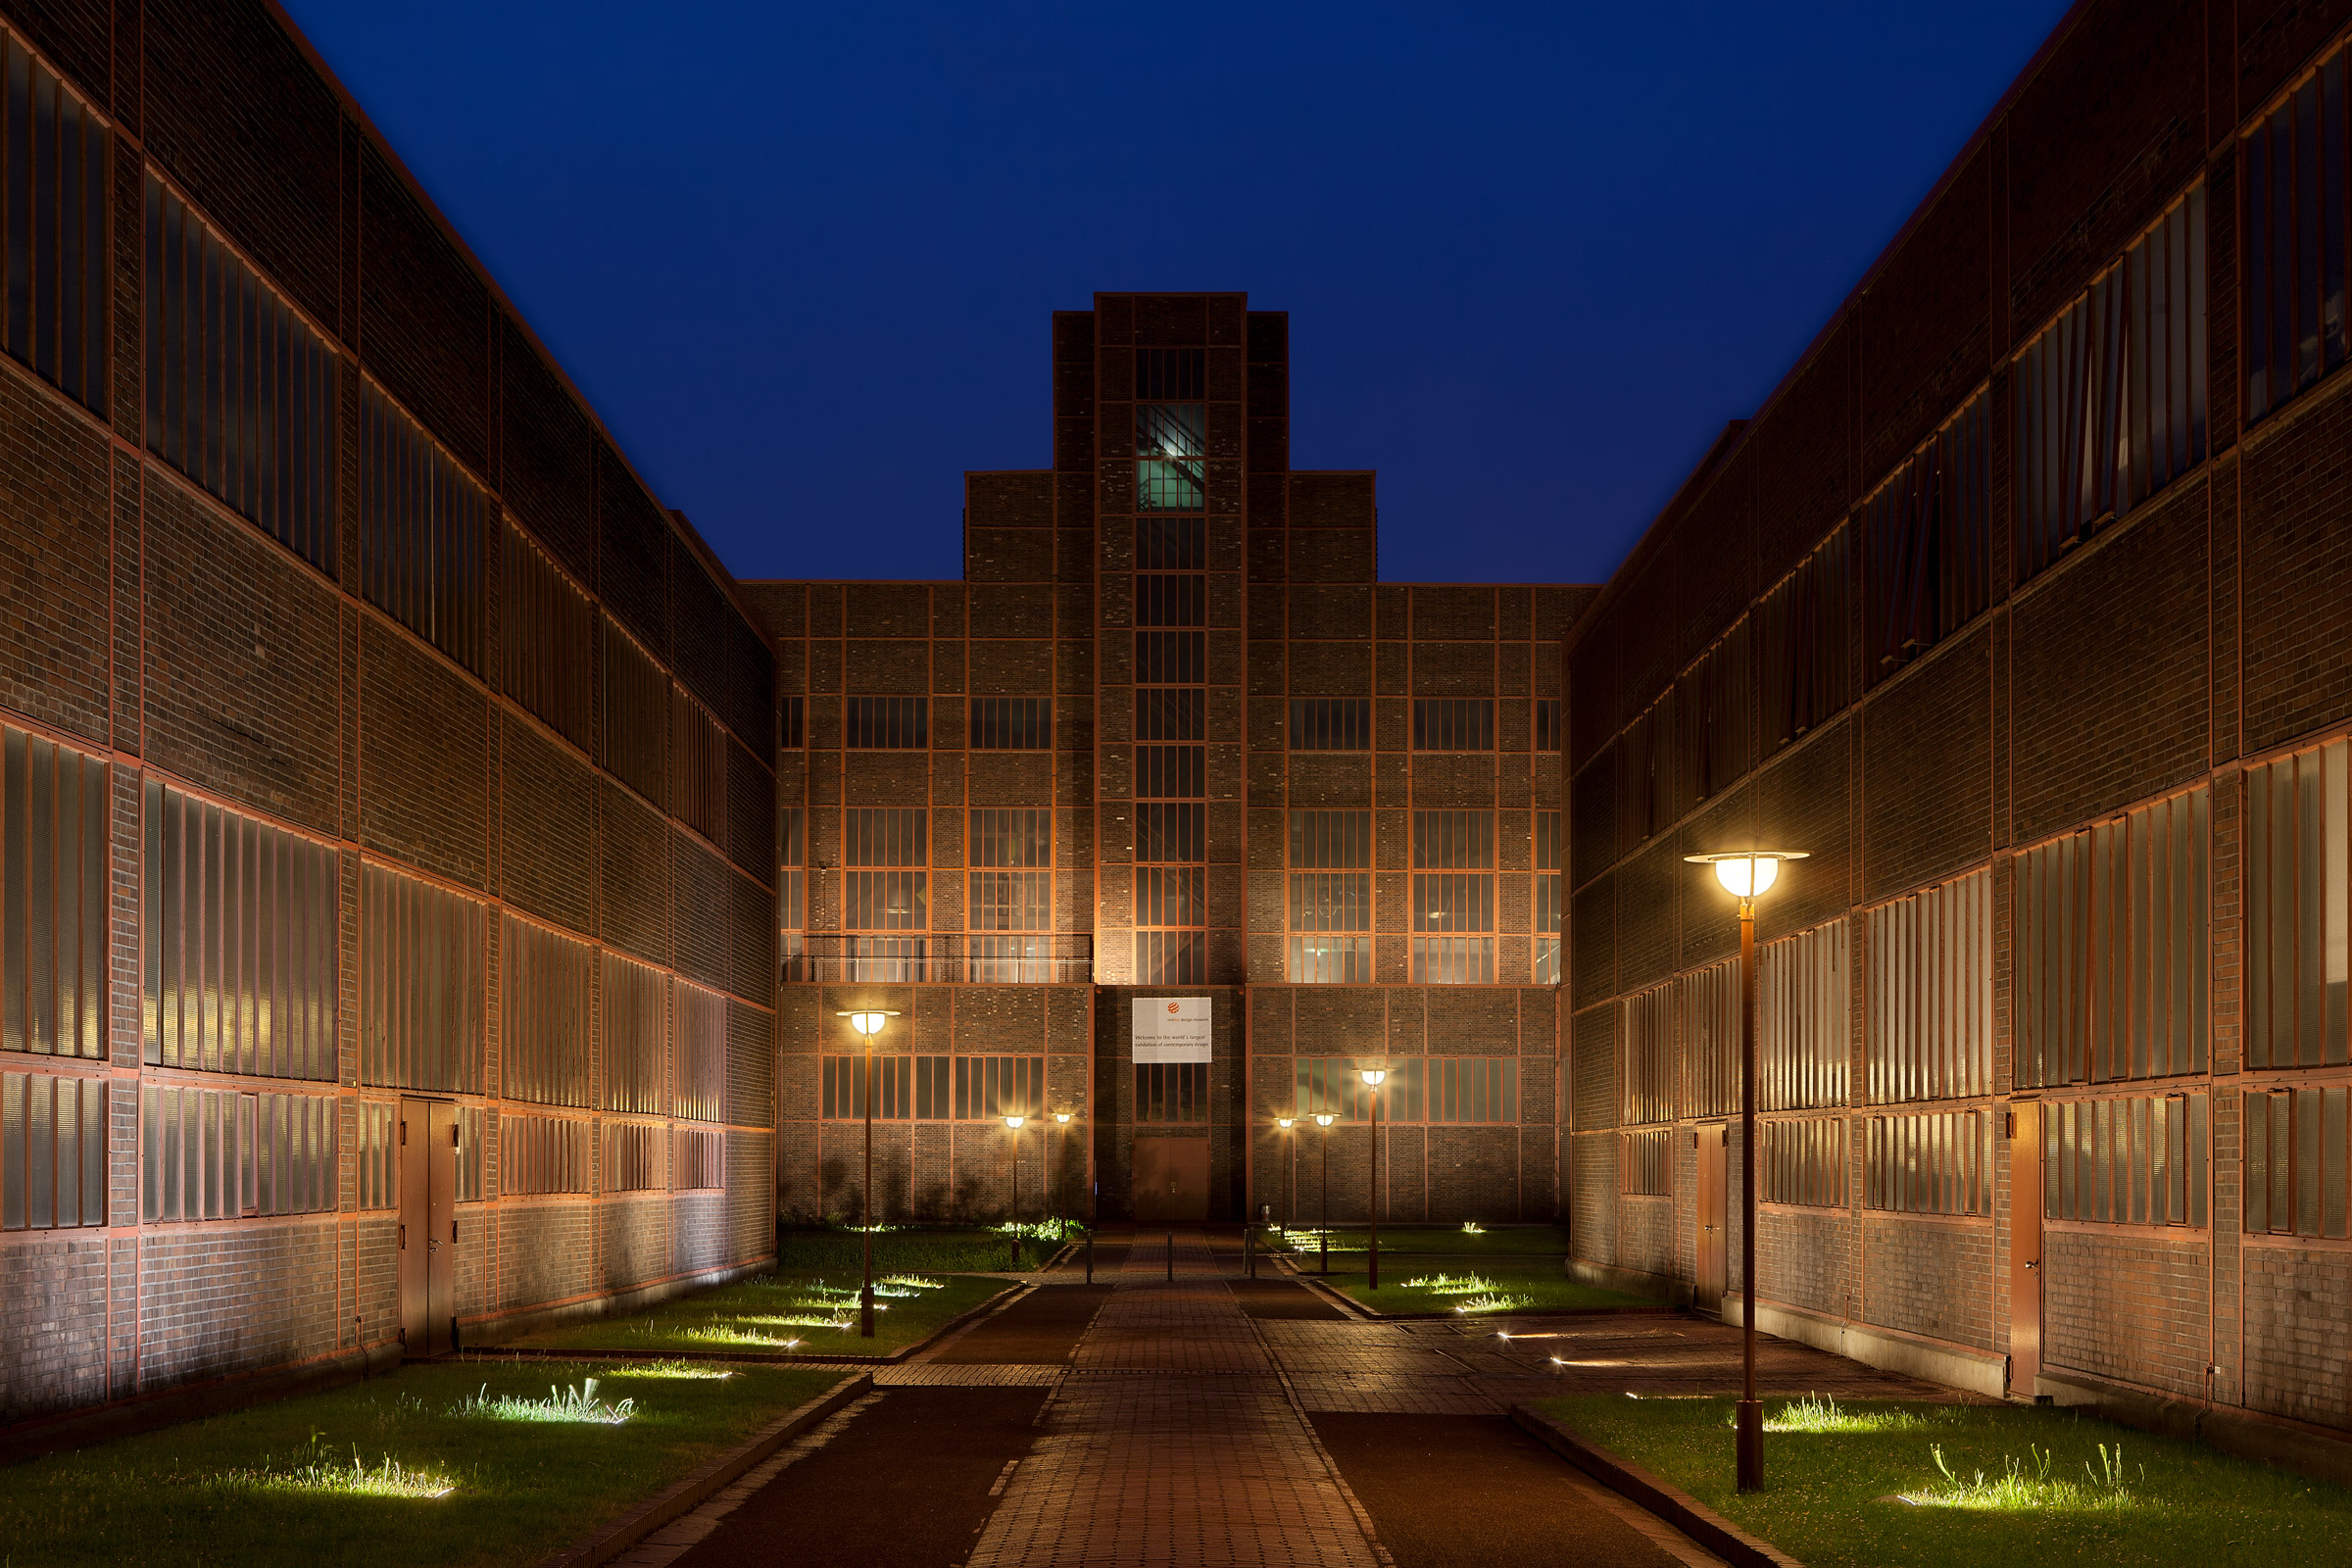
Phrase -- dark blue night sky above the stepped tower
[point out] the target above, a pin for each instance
(1535, 257)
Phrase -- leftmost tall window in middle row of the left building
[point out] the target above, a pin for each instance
(55, 897)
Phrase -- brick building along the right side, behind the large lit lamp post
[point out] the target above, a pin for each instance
(2019, 610)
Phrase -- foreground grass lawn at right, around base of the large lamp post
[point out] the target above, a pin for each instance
(2026, 1487)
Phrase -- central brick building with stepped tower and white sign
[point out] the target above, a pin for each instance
(1170, 737)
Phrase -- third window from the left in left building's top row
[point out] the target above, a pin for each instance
(420, 532)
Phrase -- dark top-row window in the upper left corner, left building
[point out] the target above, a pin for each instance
(55, 182)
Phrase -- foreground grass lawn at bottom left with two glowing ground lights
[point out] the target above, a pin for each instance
(279, 1485)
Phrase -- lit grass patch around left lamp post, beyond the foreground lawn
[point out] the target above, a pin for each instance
(806, 1315)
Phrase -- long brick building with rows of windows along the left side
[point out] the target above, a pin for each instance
(387, 782)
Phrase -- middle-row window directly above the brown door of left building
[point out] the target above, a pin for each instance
(420, 986)
